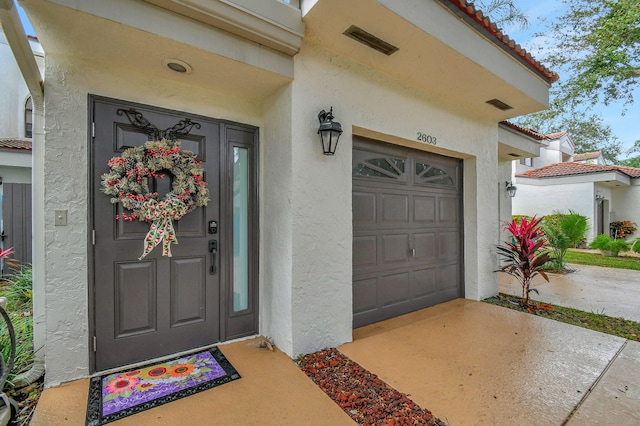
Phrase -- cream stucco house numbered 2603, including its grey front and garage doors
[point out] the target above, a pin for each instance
(405, 215)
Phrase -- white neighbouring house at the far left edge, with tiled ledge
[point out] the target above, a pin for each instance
(15, 152)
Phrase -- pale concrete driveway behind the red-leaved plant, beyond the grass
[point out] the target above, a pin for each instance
(610, 291)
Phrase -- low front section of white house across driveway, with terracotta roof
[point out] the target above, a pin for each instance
(601, 193)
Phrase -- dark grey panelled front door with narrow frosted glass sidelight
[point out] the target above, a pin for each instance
(157, 306)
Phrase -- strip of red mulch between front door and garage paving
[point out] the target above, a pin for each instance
(361, 394)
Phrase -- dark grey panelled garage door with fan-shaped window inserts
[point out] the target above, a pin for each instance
(407, 230)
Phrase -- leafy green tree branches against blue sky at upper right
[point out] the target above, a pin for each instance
(598, 43)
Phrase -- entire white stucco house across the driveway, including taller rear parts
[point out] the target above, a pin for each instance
(561, 180)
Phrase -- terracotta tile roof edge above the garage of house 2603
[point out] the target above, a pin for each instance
(509, 45)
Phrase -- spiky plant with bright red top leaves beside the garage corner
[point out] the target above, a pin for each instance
(525, 256)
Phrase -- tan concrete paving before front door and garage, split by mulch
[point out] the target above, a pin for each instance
(468, 362)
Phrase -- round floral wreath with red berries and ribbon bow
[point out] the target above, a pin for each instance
(127, 181)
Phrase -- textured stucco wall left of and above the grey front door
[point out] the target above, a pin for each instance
(68, 82)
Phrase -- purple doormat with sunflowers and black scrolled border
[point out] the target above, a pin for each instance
(117, 395)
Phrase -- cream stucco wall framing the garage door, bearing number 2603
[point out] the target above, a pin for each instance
(322, 228)
